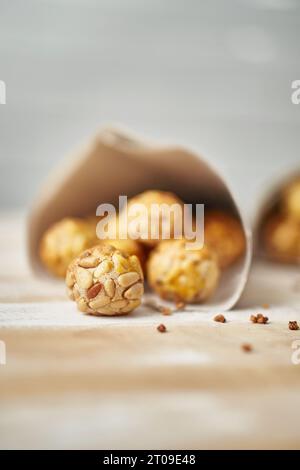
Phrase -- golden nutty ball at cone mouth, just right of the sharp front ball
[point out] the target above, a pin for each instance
(176, 273)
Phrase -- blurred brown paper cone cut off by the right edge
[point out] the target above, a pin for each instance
(277, 207)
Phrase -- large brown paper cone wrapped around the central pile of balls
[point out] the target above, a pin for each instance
(114, 163)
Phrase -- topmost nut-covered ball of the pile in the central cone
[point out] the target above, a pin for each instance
(146, 222)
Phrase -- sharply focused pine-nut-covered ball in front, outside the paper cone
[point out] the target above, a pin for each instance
(105, 281)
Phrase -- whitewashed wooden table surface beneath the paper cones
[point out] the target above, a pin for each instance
(74, 381)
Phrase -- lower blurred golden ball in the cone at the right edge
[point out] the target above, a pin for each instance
(281, 238)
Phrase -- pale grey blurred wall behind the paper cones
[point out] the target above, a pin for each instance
(215, 74)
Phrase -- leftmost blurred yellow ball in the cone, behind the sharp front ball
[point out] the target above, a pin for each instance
(63, 241)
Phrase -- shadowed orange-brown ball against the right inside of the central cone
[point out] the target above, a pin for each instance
(224, 234)
